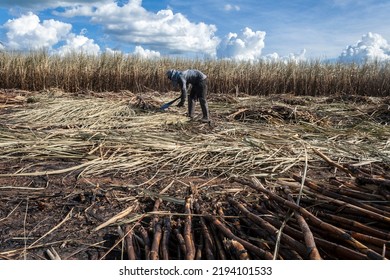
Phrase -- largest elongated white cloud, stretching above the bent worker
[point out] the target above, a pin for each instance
(130, 23)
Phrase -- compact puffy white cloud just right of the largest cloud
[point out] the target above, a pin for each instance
(246, 46)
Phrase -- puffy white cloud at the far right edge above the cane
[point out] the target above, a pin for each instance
(371, 47)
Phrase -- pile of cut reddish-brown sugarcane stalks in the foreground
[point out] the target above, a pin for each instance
(326, 222)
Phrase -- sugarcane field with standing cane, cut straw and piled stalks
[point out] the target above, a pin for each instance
(285, 172)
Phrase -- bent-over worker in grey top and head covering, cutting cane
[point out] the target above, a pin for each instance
(198, 81)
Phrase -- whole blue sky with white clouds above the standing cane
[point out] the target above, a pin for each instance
(246, 29)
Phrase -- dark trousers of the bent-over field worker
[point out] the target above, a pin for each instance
(198, 92)
